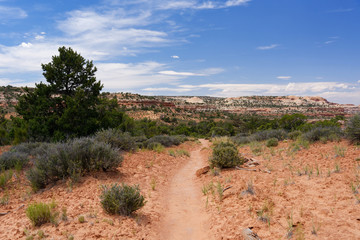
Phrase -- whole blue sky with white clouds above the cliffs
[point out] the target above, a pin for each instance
(223, 48)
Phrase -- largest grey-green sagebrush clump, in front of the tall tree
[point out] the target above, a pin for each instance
(72, 159)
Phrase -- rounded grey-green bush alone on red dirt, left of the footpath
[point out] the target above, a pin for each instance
(121, 199)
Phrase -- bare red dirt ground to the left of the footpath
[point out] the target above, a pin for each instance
(146, 168)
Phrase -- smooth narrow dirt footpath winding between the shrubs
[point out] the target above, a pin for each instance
(185, 217)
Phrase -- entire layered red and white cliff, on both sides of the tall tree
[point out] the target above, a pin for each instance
(153, 107)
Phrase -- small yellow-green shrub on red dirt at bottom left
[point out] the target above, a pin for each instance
(39, 213)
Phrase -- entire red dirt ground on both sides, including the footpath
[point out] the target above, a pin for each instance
(302, 186)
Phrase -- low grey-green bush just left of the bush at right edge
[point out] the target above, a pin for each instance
(323, 133)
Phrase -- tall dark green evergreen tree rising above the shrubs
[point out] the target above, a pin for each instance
(65, 106)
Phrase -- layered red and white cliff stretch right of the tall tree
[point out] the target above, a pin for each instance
(312, 106)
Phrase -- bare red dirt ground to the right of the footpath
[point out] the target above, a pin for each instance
(321, 204)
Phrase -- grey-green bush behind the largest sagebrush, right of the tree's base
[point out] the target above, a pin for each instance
(117, 139)
